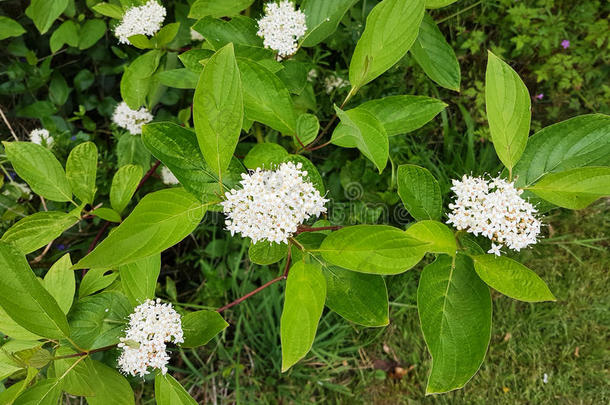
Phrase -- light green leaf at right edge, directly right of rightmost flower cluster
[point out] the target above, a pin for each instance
(575, 188)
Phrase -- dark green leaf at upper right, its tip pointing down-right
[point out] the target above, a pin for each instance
(435, 56)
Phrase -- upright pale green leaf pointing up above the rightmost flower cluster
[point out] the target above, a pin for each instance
(508, 110)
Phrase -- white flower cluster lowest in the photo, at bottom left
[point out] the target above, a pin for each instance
(151, 326)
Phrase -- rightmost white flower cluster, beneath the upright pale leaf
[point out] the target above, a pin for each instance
(495, 210)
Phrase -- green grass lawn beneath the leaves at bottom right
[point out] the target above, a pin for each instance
(566, 340)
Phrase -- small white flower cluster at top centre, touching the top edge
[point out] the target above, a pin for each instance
(281, 27)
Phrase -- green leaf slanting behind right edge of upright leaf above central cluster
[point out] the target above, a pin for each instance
(266, 98)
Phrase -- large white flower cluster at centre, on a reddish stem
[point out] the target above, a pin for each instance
(272, 204)
